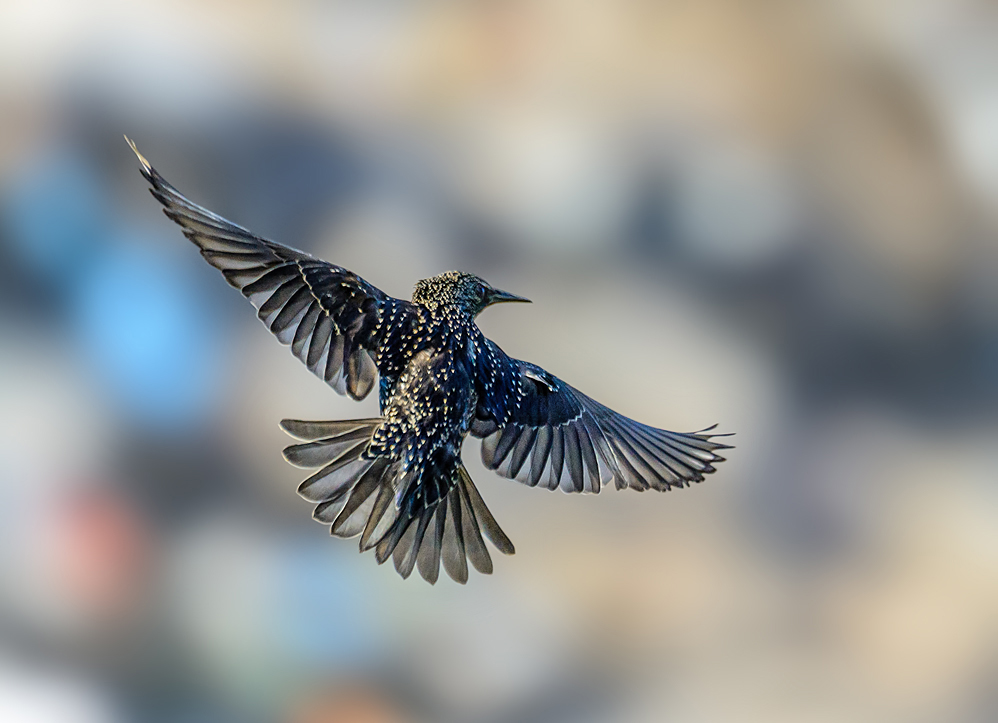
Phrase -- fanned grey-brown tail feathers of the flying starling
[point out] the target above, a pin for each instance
(442, 518)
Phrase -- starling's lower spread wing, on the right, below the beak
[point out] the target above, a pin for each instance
(541, 431)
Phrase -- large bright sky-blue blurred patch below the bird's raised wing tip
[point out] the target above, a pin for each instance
(141, 323)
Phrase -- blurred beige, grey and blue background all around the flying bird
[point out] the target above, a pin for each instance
(778, 216)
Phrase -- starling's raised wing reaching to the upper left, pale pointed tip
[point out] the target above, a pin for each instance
(335, 322)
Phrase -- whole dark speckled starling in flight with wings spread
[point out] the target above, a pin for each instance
(397, 480)
